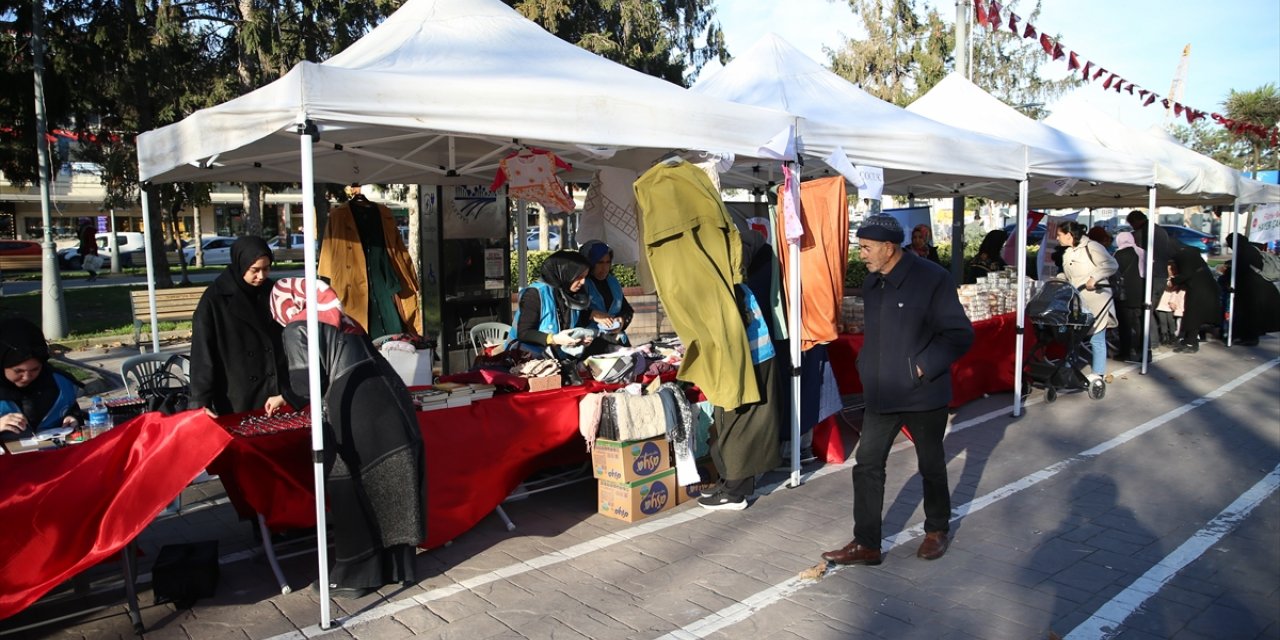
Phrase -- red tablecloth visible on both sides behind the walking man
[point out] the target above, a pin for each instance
(988, 368)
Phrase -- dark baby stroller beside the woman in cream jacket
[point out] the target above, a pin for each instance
(1059, 319)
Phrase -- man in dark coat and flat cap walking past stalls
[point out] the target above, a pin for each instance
(916, 330)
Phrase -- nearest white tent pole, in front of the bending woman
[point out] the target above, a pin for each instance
(309, 260)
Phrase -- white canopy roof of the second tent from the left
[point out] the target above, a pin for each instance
(920, 157)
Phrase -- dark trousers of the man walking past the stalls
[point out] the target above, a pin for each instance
(874, 447)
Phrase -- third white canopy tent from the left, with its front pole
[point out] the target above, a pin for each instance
(1101, 177)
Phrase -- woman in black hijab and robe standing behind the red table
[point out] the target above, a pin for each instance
(236, 359)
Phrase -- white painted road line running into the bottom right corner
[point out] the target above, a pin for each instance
(1108, 620)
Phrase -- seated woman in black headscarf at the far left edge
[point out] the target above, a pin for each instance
(34, 397)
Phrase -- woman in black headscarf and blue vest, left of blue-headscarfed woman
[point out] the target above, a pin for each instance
(551, 309)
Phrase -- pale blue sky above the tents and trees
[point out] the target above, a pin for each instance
(1236, 44)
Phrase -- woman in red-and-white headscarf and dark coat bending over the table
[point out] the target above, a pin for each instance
(376, 474)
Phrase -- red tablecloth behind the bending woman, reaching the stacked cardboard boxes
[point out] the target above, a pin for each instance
(476, 458)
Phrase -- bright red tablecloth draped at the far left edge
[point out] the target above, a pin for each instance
(63, 511)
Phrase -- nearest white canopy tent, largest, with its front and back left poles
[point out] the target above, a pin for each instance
(438, 94)
